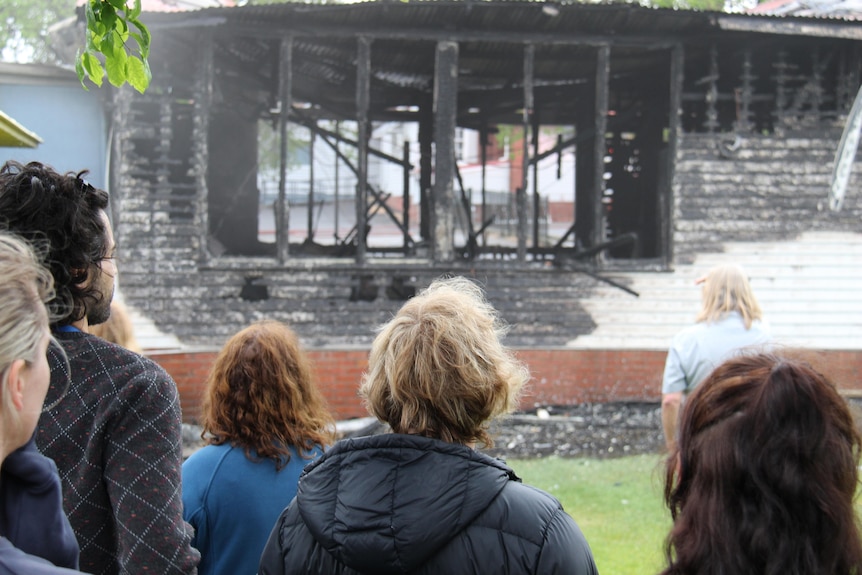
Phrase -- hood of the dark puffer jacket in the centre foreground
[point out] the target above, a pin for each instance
(386, 503)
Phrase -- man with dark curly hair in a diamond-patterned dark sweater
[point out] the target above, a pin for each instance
(116, 435)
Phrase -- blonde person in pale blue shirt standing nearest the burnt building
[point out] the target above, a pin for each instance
(729, 321)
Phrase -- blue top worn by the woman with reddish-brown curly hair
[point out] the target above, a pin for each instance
(233, 504)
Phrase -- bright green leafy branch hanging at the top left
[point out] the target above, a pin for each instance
(111, 25)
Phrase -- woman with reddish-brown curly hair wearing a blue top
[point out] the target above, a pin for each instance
(263, 419)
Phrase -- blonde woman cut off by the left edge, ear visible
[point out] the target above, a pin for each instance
(36, 536)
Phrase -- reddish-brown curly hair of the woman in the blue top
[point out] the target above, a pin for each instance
(261, 395)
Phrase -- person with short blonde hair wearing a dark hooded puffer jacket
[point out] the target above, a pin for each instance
(421, 499)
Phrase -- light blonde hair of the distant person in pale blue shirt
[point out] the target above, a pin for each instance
(726, 289)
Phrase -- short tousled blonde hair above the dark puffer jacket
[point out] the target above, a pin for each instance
(439, 369)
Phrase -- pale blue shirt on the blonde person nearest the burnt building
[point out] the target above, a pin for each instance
(697, 350)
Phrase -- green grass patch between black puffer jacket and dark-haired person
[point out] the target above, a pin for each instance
(616, 502)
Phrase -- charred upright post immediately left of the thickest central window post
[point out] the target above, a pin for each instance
(363, 95)
